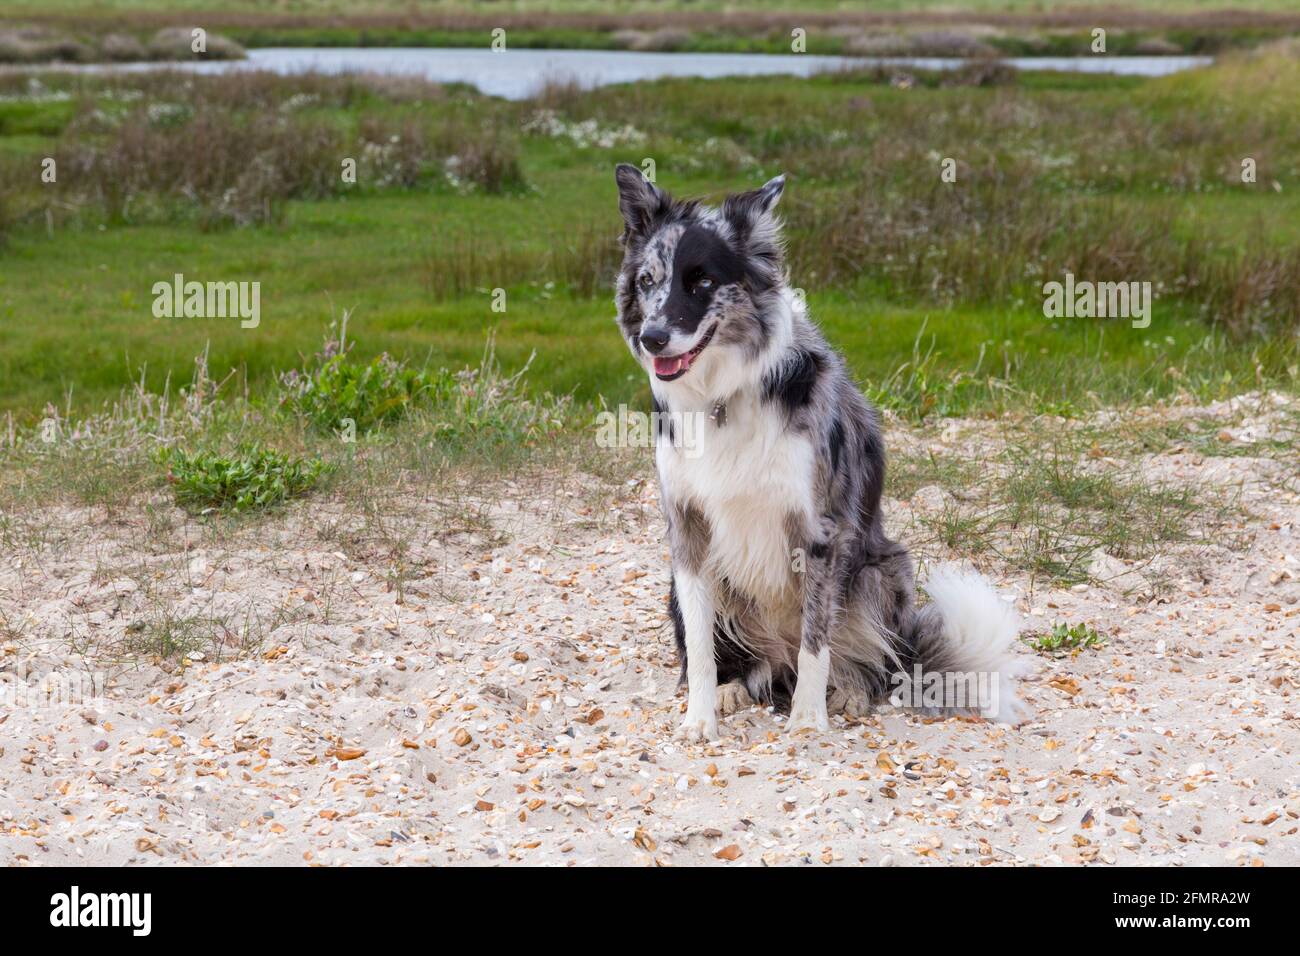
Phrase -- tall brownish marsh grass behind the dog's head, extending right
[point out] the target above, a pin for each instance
(1048, 183)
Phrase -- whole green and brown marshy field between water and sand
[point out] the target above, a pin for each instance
(934, 291)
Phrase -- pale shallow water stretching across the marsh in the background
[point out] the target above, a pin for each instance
(518, 73)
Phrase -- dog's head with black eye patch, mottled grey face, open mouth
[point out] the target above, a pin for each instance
(696, 280)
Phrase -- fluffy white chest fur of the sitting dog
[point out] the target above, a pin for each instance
(748, 478)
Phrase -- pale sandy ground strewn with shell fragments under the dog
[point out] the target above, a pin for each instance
(515, 703)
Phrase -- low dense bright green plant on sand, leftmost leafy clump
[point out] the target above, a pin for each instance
(253, 478)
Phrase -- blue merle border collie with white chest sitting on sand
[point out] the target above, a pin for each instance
(786, 590)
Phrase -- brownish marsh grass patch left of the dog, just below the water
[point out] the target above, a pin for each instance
(175, 148)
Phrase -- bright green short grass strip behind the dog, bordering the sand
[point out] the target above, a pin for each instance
(106, 334)
